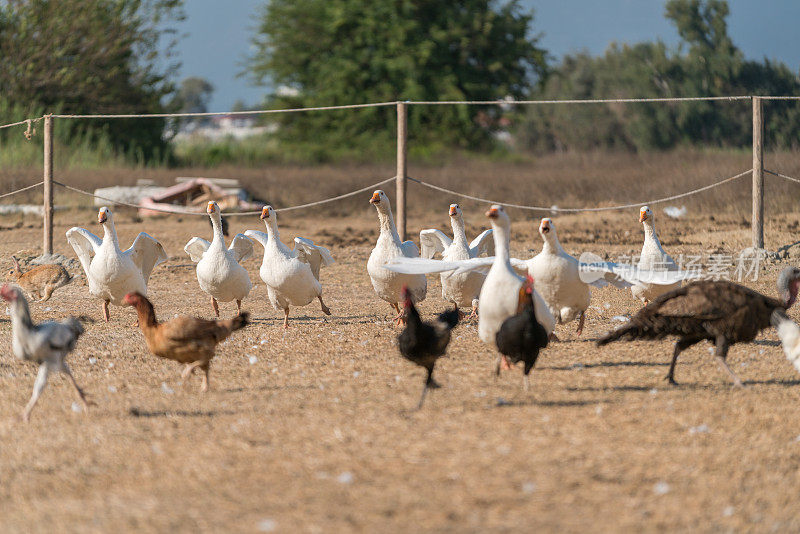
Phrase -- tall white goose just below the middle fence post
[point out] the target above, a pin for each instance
(387, 284)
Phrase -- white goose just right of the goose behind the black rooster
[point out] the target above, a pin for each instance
(557, 276)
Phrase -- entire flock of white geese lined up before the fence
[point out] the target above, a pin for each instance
(479, 274)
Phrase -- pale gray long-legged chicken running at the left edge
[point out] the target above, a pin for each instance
(46, 344)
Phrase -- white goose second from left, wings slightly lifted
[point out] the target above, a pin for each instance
(218, 271)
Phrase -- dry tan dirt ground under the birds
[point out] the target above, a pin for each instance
(311, 429)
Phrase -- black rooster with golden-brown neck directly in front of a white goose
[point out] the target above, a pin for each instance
(521, 337)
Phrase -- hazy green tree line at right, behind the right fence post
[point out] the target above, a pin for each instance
(706, 63)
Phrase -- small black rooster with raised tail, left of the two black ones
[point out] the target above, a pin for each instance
(424, 343)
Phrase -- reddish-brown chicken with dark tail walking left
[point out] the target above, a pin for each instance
(188, 340)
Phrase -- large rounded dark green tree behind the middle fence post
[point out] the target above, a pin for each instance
(349, 51)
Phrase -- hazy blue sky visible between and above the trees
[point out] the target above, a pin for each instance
(219, 34)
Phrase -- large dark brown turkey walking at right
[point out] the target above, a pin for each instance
(722, 312)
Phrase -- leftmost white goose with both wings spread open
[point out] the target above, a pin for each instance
(112, 273)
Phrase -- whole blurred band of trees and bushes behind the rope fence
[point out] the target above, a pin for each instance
(115, 56)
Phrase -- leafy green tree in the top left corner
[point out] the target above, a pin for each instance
(92, 56)
